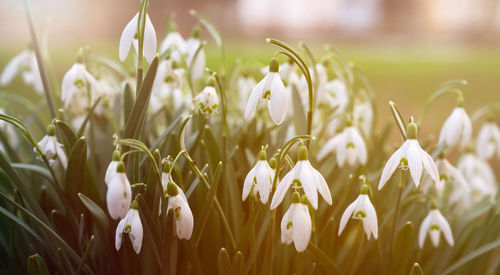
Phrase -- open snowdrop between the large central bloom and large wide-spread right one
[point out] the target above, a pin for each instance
(361, 209)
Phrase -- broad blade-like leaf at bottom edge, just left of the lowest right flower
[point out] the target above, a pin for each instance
(401, 251)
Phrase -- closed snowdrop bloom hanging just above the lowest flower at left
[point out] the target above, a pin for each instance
(119, 194)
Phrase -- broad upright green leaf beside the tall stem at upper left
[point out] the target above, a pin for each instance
(138, 113)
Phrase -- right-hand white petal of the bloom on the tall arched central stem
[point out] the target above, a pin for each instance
(278, 104)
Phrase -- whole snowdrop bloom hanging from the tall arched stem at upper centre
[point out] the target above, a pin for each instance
(272, 89)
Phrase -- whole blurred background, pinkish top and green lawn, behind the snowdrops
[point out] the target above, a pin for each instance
(407, 48)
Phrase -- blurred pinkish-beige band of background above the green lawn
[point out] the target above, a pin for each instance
(399, 21)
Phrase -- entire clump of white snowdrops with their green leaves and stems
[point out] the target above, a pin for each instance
(164, 165)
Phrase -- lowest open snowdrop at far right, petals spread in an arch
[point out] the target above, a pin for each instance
(434, 223)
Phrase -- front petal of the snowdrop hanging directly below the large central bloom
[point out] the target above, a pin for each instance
(301, 227)
